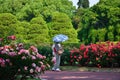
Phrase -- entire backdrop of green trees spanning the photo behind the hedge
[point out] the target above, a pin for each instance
(37, 21)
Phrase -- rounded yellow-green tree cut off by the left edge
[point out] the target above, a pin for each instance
(6, 22)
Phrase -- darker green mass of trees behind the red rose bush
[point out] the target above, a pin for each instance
(98, 19)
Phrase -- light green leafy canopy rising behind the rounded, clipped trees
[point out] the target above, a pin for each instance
(28, 9)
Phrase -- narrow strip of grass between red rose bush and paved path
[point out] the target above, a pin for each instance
(92, 69)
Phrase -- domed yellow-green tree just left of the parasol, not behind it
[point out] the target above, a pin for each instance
(38, 31)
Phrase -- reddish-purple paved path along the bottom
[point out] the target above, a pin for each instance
(78, 75)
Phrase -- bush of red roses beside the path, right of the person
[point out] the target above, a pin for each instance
(105, 54)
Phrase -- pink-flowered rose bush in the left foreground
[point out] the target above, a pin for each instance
(16, 60)
